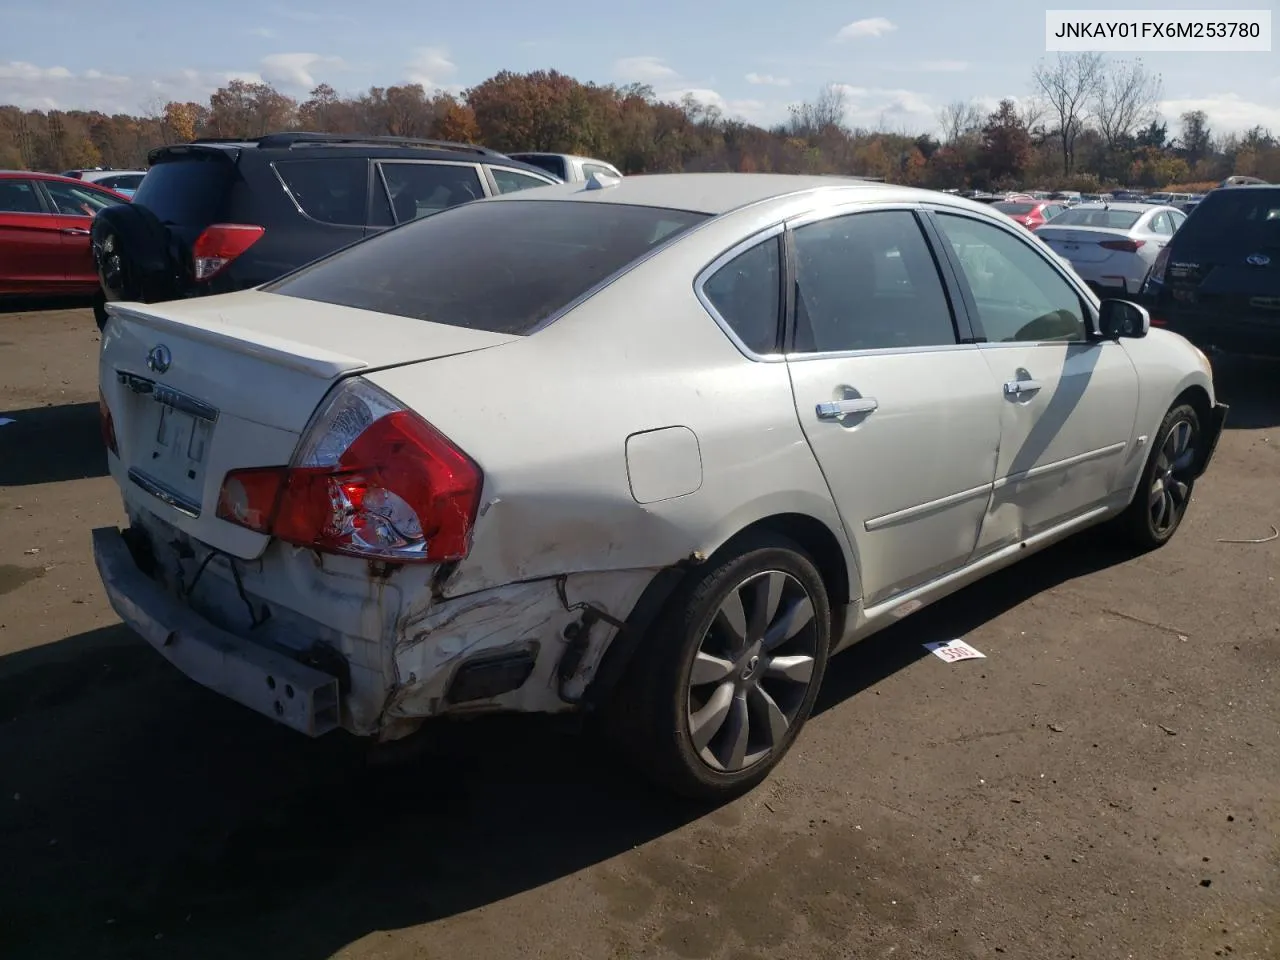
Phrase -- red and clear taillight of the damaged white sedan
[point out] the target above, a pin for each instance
(372, 481)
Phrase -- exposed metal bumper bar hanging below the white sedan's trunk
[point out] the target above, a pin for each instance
(262, 679)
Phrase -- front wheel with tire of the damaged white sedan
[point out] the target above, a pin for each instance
(1165, 491)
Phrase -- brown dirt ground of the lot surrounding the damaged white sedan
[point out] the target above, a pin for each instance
(1107, 784)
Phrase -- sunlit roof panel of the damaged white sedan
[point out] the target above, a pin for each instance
(717, 193)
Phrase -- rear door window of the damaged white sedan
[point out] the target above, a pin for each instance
(868, 282)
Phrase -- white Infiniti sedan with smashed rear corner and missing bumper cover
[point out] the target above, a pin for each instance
(652, 449)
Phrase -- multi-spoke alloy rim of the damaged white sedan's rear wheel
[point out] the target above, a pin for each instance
(752, 671)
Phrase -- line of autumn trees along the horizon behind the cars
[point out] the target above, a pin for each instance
(1090, 124)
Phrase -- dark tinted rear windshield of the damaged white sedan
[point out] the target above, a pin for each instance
(502, 267)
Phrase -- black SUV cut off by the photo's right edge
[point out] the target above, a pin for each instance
(1218, 282)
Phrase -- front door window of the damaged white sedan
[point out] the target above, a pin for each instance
(1018, 295)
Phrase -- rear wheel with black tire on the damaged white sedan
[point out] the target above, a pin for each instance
(724, 683)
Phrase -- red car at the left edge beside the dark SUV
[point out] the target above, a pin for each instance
(44, 235)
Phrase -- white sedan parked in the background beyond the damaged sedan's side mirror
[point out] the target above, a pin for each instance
(1113, 246)
